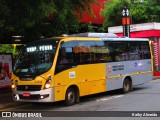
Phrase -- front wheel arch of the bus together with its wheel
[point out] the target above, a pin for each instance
(72, 95)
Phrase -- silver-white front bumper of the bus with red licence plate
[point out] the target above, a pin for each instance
(46, 95)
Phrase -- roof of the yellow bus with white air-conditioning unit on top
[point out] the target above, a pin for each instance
(88, 37)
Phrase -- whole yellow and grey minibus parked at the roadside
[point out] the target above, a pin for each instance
(66, 68)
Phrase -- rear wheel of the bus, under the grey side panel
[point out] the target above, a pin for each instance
(127, 85)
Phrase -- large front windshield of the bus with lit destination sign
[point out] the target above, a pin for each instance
(35, 59)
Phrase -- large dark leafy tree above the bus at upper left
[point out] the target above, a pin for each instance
(35, 18)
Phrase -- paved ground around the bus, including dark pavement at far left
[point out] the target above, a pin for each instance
(142, 99)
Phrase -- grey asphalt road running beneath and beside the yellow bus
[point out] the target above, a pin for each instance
(143, 100)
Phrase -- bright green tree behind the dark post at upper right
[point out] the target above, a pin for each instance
(140, 13)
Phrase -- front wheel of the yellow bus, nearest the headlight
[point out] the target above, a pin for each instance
(70, 97)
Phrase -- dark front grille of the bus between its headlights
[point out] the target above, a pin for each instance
(29, 87)
